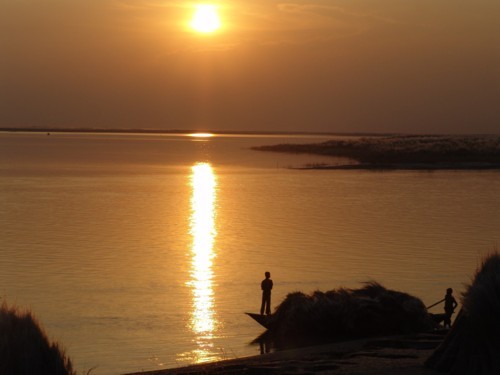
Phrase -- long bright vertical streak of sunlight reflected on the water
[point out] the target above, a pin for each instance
(203, 211)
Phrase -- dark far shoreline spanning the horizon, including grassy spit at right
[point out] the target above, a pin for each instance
(369, 151)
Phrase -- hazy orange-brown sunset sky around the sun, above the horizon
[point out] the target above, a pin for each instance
(313, 65)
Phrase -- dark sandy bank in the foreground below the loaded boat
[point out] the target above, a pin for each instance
(401, 355)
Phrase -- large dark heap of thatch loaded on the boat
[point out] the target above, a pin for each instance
(349, 313)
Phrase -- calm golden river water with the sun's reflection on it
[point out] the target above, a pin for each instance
(141, 252)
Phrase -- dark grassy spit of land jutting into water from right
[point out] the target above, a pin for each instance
(405, 151)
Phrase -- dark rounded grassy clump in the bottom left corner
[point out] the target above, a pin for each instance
(25, 348)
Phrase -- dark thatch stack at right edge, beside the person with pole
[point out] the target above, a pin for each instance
(473, 344)
